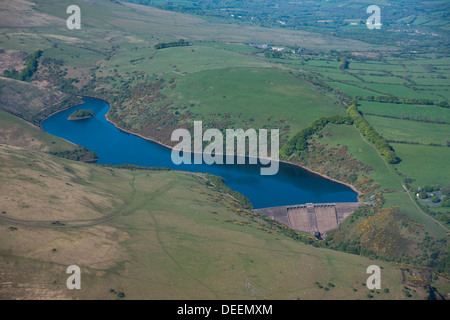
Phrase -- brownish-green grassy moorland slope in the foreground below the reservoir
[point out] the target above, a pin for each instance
(155, 235)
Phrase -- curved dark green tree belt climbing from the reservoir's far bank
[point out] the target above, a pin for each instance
(299, 141)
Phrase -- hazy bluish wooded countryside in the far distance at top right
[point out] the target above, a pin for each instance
(415, 24)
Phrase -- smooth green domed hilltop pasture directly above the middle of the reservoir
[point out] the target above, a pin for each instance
(259, 98)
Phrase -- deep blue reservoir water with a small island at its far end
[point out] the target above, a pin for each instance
(291, 185)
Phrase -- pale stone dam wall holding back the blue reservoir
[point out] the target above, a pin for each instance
(316, 219)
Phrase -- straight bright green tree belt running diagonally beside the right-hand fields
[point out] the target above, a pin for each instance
(379, 141)
